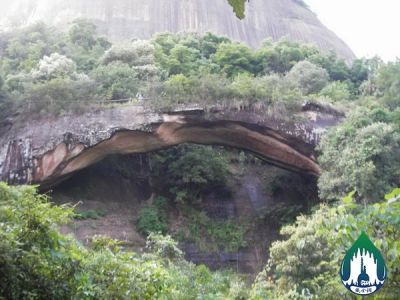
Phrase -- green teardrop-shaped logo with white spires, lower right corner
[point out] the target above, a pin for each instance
(363, 269)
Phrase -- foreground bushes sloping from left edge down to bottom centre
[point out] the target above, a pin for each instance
(37, 262)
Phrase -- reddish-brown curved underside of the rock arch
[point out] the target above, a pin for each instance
(272, 146)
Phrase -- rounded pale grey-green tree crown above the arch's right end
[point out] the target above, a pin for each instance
(308, 77)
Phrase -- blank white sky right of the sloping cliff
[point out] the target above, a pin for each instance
(369, 27)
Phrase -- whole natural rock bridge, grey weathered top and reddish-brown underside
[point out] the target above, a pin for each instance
(49, 150)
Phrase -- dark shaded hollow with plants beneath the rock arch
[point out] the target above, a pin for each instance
(225, 206)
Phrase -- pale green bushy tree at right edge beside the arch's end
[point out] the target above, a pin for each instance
(358, 155)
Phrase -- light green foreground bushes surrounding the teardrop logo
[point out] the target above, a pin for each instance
(305, 265)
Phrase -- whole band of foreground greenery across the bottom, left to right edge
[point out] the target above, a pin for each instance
(38, 262)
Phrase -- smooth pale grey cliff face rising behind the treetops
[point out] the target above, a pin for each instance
(122, 19)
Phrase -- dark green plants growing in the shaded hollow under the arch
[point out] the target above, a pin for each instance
(185, 174)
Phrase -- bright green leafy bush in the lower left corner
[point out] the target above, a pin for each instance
(35, 260)
